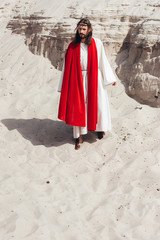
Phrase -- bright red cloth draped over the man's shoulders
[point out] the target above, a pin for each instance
(72, 102)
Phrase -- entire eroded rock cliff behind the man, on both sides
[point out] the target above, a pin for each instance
(129, 31)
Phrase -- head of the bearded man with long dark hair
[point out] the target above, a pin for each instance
(84, 31)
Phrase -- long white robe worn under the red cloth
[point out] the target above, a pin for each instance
(105, 77)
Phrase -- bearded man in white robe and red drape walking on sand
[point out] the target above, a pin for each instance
(86, 70)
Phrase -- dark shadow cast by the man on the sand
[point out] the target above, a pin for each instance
(44, 131)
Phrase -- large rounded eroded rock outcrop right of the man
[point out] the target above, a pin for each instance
(140, 69)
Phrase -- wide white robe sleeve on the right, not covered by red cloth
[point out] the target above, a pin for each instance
(107, 72)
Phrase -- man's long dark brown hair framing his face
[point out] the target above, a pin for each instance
(84, 21)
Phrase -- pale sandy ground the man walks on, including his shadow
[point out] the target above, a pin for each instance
(108, 190)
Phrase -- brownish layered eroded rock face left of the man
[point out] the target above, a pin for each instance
(43, 38)
